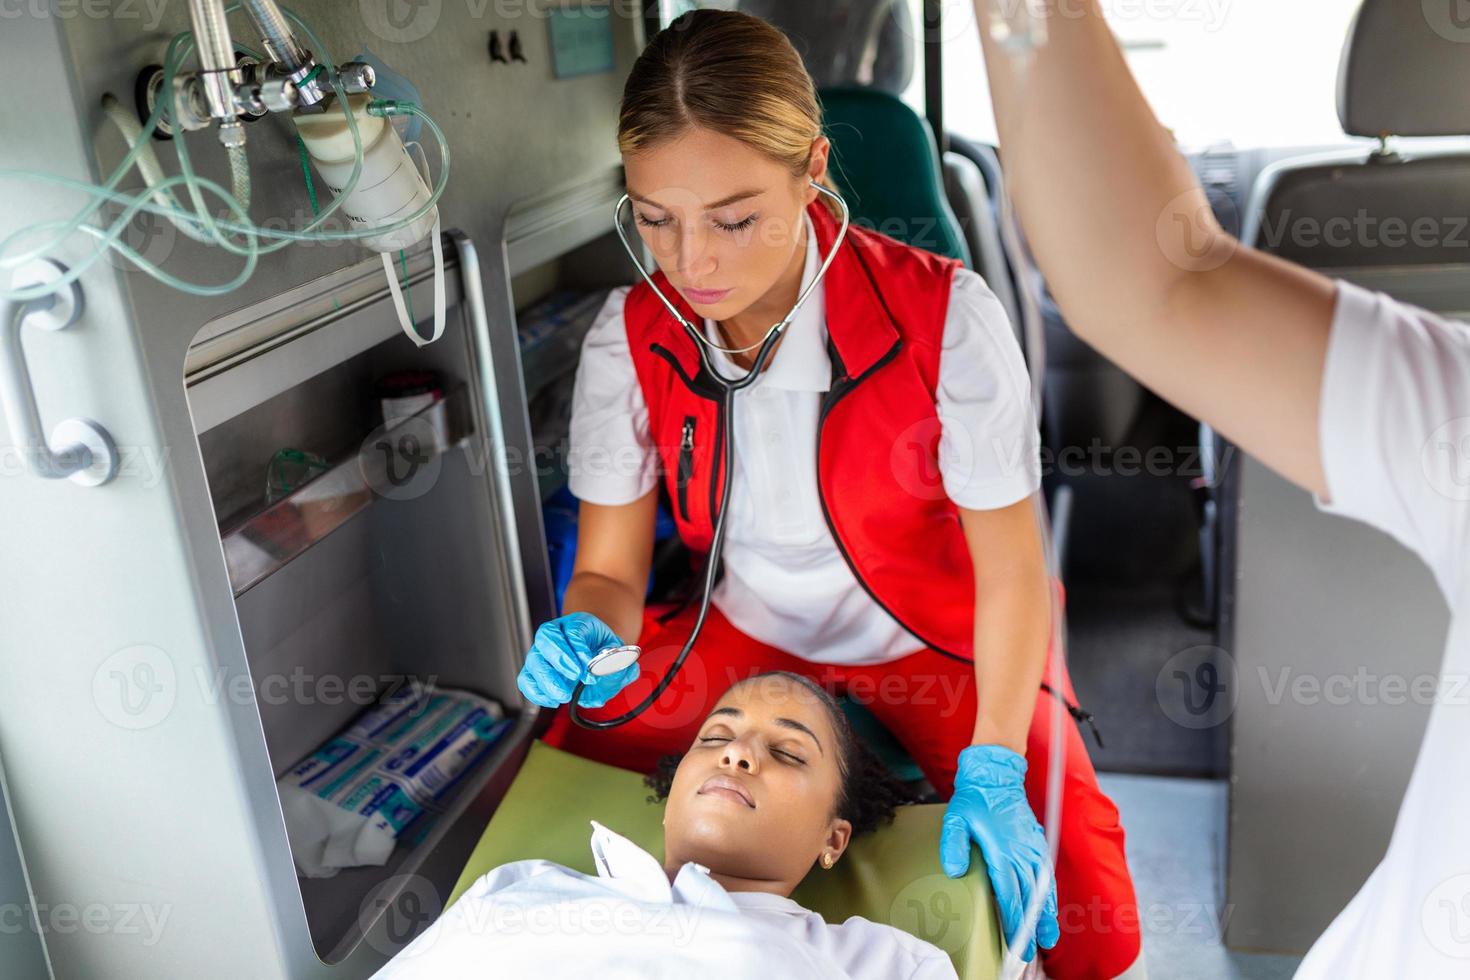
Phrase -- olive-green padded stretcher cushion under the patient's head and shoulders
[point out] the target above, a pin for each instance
(890, 876)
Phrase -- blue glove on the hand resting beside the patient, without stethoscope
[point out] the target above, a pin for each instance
(990, 809)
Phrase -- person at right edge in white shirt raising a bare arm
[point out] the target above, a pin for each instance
(1350, 394)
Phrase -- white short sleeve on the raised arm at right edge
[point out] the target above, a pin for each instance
(1396, 427)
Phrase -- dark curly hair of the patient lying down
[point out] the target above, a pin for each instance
(870, 794)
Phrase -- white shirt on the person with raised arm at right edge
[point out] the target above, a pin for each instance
(1396, 446)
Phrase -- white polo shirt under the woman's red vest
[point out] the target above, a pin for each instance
(786, 583)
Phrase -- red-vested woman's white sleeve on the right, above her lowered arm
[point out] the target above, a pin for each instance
(990, 449)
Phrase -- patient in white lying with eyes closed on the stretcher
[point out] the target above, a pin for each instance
(774, 788)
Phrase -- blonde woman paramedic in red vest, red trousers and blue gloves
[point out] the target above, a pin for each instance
(881, 528)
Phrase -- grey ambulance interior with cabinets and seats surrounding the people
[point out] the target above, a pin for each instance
(311, 514)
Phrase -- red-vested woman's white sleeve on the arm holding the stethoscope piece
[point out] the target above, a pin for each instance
(611, 458)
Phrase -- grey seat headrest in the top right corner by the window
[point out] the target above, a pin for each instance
(1406, 70)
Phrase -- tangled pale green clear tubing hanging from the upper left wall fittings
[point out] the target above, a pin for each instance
(199, 220)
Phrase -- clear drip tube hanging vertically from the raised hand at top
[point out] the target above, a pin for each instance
(1019, 30)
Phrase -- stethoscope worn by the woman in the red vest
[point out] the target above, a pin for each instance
(615, 659)
